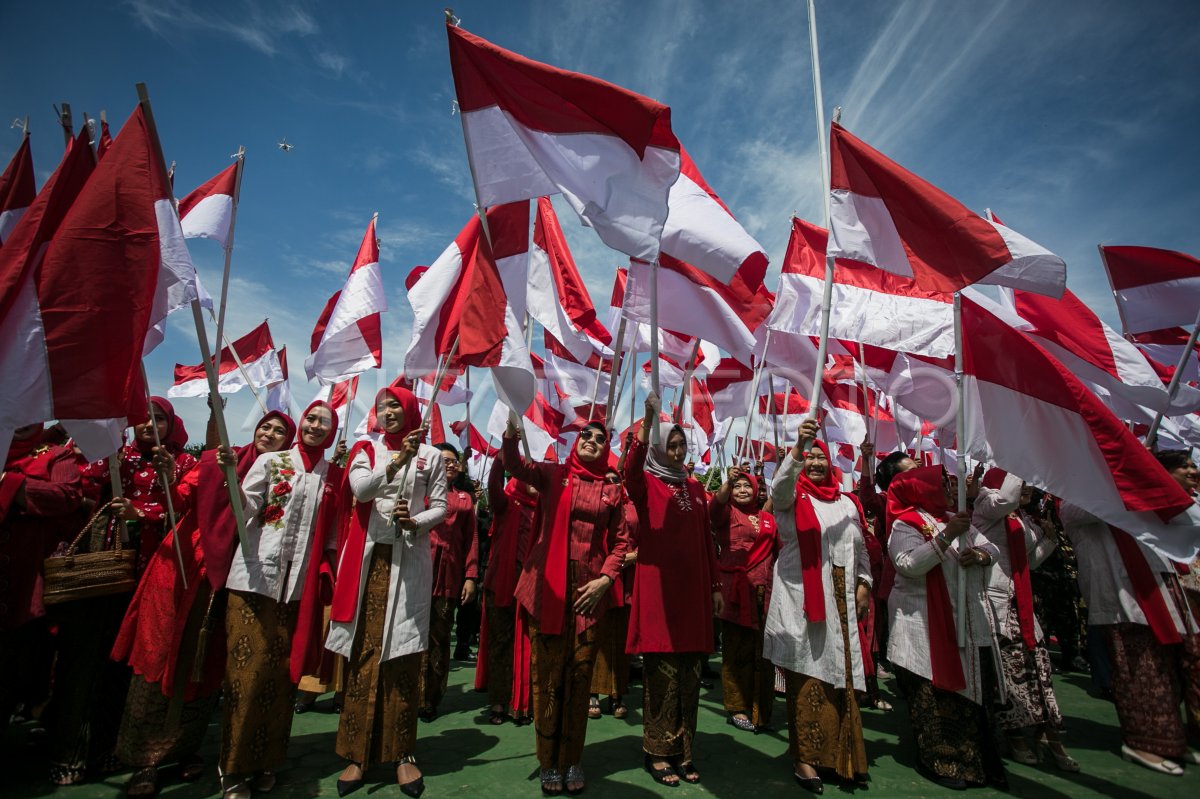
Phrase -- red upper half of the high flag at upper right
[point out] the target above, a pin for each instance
(949, 247)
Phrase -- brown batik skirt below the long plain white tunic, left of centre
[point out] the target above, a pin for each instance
(379, 723)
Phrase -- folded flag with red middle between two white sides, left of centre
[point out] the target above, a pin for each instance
(461, 298)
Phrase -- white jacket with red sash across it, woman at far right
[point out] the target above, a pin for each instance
(1102, 575)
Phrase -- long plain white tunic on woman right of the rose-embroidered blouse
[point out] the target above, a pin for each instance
(411, 581)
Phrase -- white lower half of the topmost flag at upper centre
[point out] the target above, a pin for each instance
(623, 197)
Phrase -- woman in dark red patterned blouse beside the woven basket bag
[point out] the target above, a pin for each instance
(91, 690)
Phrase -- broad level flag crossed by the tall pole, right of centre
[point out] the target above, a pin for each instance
(869, 305)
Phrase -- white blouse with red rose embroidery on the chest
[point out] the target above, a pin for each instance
(273, 562)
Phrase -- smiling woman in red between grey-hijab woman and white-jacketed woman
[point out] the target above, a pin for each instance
(747, 542)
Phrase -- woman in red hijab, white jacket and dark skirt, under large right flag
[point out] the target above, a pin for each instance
(947, 682)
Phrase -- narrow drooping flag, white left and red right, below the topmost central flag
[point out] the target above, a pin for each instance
(556, 295)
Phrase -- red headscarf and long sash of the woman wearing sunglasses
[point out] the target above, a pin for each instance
(557, 504)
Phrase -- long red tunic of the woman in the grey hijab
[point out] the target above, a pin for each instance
(677, 569)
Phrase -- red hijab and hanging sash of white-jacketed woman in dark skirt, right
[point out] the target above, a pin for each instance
(911, 492)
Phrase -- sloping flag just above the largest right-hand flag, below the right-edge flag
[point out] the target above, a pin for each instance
(1114, 368)
